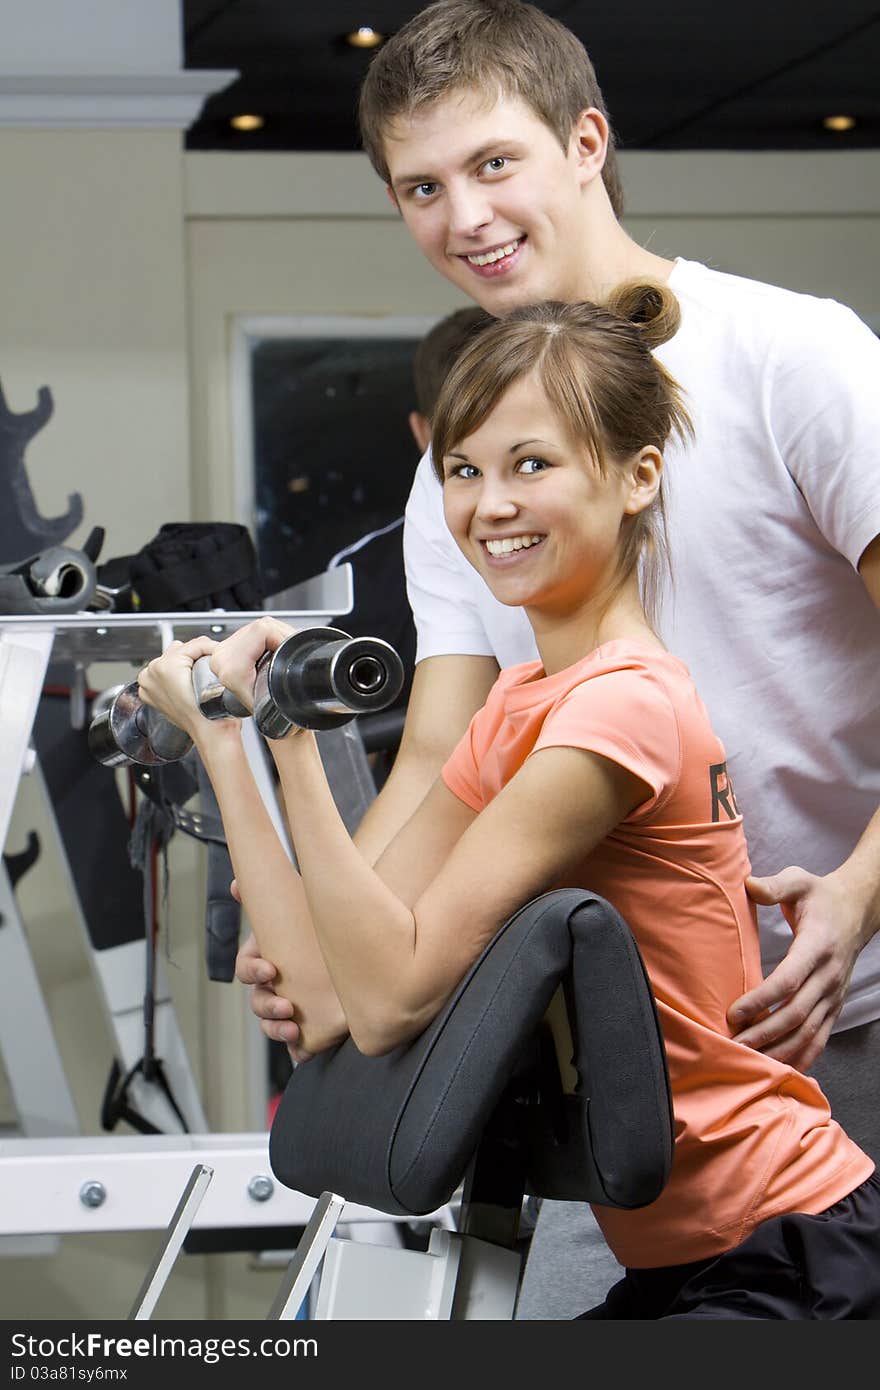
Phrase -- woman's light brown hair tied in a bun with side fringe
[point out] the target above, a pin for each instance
(600, 375)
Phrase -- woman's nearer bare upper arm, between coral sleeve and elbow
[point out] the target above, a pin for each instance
(550, 817)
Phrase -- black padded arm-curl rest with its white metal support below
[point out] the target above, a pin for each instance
(483, 1099)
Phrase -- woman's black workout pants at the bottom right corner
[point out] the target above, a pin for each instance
(793, 1268)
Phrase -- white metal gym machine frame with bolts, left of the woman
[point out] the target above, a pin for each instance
(52, 1179)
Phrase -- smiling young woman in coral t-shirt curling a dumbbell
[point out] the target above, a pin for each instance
(594, 767)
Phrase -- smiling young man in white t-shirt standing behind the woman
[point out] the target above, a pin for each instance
(486, 122)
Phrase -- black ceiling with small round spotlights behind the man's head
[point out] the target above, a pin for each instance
(690, 74)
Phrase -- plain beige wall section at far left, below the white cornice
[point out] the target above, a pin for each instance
(92, 304)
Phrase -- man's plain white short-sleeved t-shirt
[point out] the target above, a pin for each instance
(769, 514)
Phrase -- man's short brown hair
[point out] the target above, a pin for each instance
(479, 45)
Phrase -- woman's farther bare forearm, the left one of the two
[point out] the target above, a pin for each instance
(273, 894)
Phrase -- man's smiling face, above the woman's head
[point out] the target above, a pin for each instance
(493, 199)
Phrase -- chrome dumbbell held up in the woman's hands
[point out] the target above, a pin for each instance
(318, 679)
